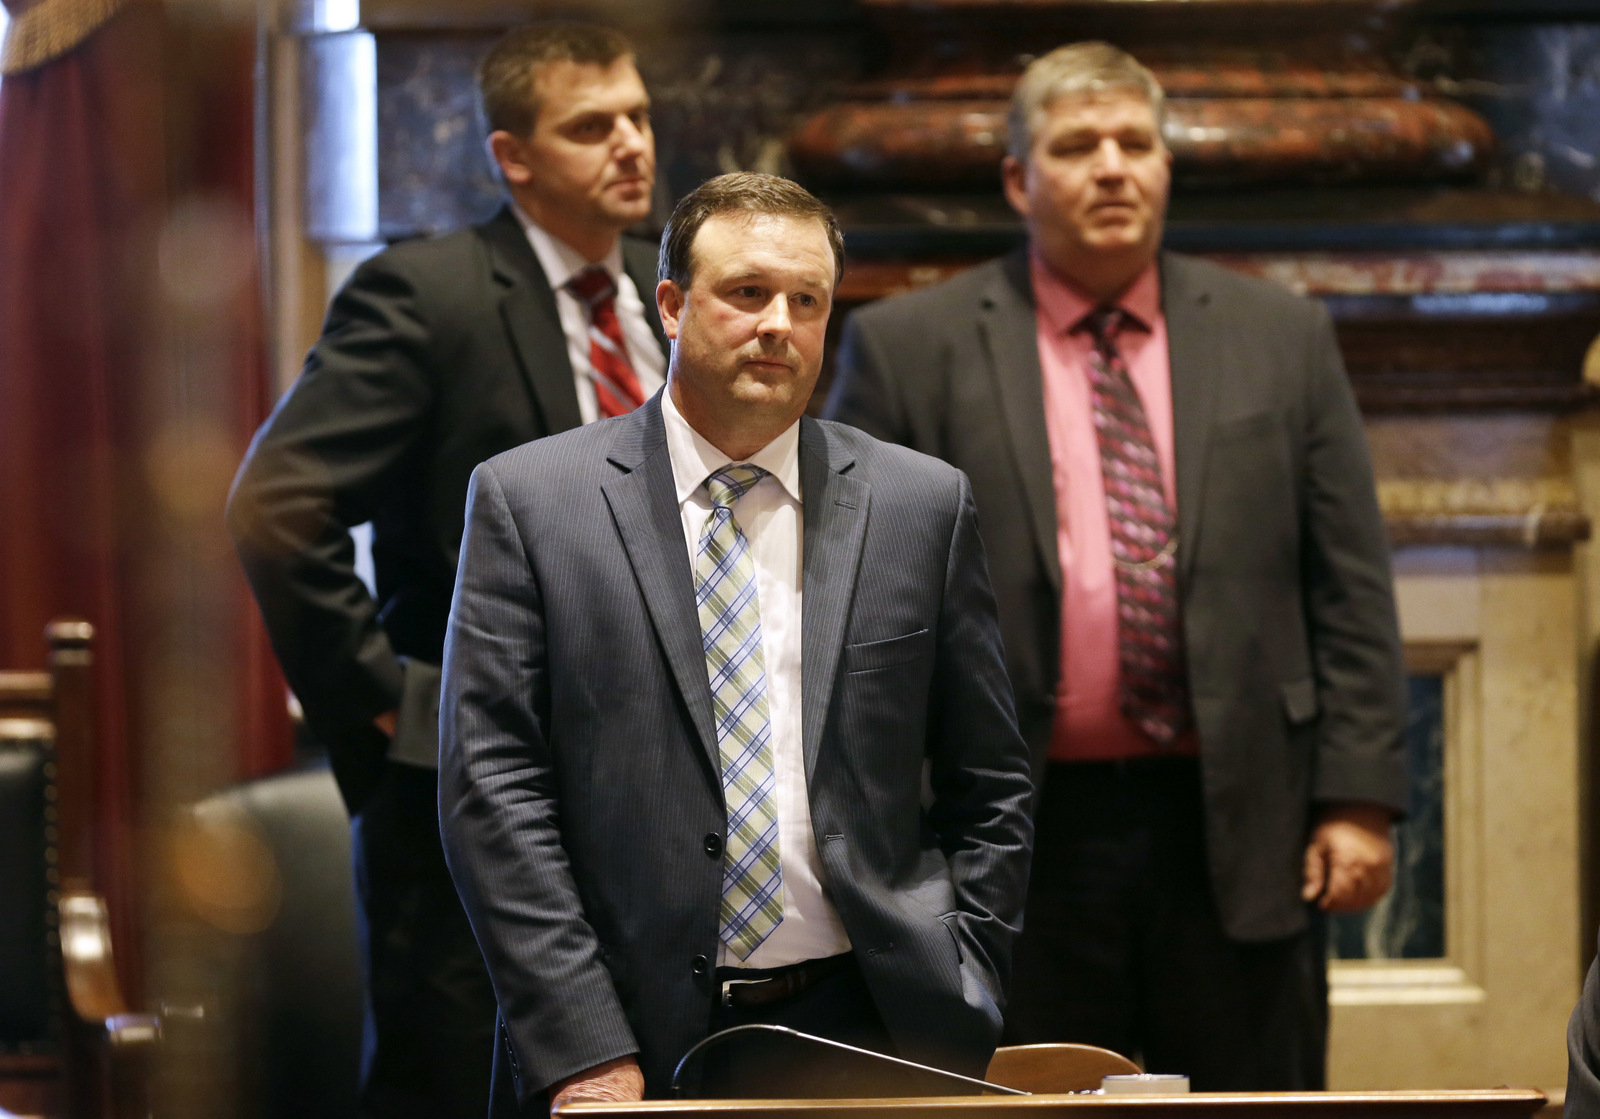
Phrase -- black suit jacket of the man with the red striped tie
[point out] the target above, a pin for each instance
(436, 355)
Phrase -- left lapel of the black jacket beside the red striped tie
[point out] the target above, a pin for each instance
(534, 323)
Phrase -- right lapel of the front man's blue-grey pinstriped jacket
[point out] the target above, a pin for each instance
(836, 521)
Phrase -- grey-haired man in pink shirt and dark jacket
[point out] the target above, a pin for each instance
(1194, 592)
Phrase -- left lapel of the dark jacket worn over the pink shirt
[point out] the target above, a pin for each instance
(1012, 335)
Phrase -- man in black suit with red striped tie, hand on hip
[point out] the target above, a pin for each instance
(436, 356)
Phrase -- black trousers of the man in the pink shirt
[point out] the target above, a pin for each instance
(1122, 945)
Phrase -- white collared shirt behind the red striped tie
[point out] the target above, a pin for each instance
(561, 263)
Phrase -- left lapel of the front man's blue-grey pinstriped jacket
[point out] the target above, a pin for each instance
(646, 507)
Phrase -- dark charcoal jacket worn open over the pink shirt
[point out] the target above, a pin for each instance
(1295, 665)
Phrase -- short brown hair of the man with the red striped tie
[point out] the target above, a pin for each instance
(508, 95)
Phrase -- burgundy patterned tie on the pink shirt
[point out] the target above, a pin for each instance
(1143, 542)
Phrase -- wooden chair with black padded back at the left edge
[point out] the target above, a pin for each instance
(68, 1040)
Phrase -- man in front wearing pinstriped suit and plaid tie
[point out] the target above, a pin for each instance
(726, 728)
